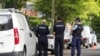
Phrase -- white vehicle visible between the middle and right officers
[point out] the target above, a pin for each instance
(67, 38)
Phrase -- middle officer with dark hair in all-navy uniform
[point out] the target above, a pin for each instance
(58, 29)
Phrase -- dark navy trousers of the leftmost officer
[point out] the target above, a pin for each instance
(43, 45)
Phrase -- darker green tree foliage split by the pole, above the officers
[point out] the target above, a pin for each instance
(66, 8)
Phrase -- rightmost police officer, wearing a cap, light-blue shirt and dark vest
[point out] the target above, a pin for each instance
(76, 40)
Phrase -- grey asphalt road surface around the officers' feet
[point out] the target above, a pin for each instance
(84, 52)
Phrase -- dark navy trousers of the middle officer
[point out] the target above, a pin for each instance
(59, 44)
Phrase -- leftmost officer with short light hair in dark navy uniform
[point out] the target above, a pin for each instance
(41, 33)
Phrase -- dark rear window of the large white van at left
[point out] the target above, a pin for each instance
(5, 22)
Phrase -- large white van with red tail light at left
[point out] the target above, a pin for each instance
(16, 37)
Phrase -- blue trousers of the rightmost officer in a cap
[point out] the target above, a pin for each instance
(76, 44)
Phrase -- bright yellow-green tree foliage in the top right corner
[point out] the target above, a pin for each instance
(91, 7)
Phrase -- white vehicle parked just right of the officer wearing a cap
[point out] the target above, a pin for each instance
(88, 37)
